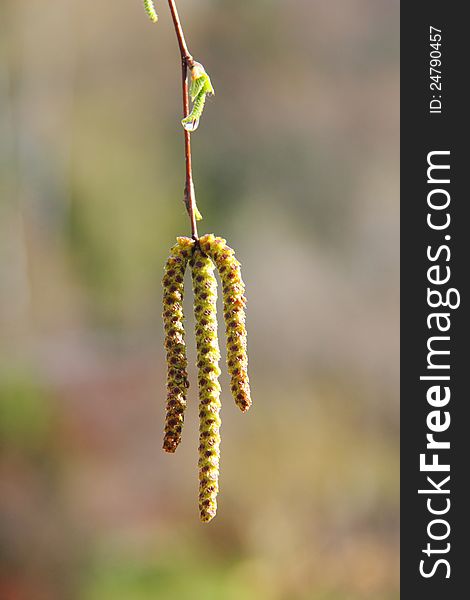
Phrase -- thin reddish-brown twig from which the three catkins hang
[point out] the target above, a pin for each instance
(186, 61)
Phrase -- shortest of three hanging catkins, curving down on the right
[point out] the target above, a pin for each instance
(234, 315)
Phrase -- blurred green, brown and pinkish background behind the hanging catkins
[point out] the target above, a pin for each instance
(296, 164)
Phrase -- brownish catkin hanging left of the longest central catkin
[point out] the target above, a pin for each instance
(177, 376)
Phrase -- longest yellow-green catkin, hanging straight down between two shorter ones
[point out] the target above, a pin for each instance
(208, 356)
